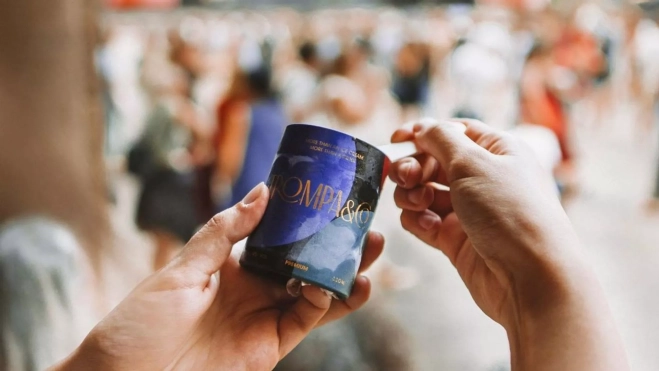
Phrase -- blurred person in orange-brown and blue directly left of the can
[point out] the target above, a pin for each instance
(251, 122)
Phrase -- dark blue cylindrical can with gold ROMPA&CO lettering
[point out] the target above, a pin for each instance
(324, 188)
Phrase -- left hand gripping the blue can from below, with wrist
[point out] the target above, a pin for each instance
(187, 316)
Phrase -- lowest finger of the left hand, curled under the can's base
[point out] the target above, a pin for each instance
(298, 320)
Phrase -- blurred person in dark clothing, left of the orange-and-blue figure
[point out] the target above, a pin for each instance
(164, 159)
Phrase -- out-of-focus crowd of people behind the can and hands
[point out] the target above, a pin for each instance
(196, 104)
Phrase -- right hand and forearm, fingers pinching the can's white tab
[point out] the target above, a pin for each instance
(503, 228)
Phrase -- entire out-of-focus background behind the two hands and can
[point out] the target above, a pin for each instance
(126, 124)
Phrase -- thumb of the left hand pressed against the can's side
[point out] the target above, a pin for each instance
(210, 247)
